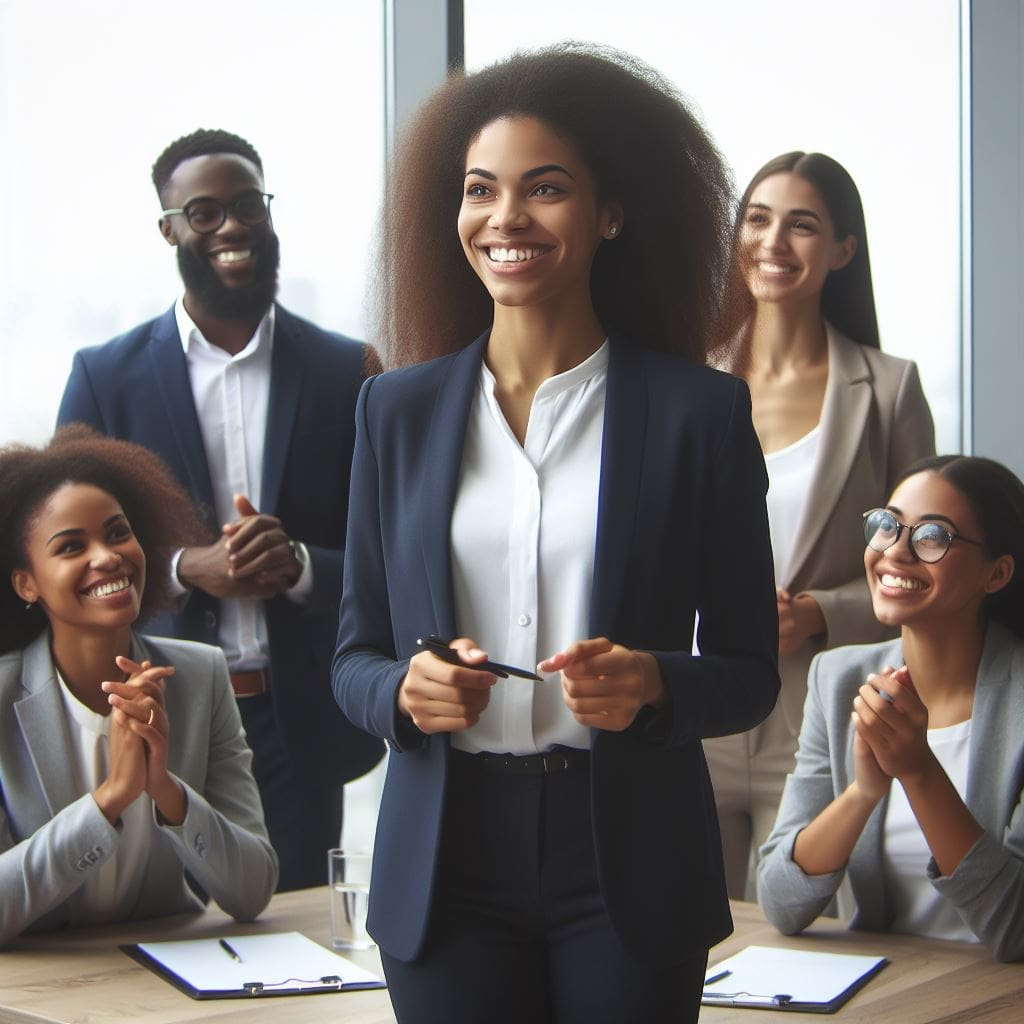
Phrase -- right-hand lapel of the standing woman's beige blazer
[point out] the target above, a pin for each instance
(844, 415)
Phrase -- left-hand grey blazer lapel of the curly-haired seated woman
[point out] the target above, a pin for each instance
(39, 714)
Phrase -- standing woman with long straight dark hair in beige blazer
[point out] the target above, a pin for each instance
(837, 419)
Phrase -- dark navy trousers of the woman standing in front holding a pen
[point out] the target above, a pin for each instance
(519, 931)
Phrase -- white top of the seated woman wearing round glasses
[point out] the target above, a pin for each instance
(920, 910)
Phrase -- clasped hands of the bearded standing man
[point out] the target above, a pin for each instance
(254, 559)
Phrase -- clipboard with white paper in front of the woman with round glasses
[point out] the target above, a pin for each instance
(766, 978)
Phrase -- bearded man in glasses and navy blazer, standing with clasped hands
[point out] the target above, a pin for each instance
(253, 409)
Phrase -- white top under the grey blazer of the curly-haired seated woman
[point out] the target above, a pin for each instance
(111, 892)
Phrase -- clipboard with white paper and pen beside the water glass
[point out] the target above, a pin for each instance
(270, 964)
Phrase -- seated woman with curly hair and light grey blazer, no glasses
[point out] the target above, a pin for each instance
(126, 788)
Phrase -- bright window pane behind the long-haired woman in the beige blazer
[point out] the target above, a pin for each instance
(875, 84)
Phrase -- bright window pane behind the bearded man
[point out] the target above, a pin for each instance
(90, 97)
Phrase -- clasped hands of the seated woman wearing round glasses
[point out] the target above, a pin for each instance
(893, 726)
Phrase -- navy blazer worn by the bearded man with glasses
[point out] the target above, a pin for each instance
(137, 388)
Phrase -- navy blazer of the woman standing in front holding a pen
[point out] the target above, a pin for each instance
(681, 527)
